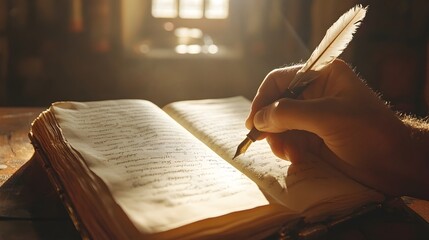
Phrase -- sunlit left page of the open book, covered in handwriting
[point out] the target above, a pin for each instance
(156, 171)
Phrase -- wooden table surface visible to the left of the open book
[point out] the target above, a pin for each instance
(29, 207)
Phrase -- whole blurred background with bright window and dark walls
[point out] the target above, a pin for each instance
(169, 50)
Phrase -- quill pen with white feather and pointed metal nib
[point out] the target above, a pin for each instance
(336, 39)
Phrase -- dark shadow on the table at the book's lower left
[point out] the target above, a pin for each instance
(31, 209)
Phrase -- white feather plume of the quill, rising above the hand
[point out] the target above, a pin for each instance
(336, 39)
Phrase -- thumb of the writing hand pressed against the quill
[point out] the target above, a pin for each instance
(285, 114)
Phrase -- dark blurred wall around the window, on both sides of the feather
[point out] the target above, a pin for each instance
(50, 56)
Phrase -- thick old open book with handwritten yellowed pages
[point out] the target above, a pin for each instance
(131, 170)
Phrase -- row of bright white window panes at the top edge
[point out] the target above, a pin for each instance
(190, 9)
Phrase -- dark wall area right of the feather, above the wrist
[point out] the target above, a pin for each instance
(392, 52)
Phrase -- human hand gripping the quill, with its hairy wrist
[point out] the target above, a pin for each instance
(340, 120)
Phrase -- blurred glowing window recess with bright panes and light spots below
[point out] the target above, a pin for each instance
(180, 28)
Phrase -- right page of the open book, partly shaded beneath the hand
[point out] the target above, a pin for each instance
(220, 124)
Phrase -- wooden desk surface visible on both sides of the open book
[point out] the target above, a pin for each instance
(30, 209)
